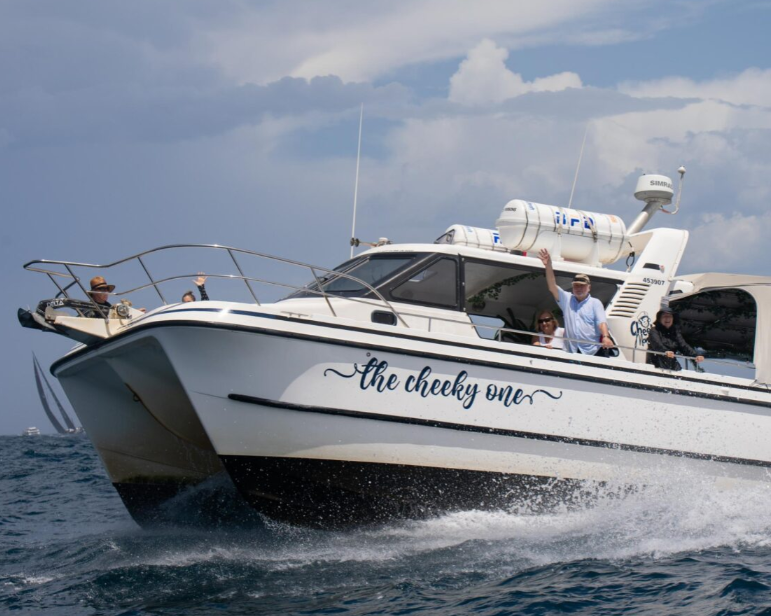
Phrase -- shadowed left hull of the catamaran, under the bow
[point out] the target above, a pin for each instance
(127, 397)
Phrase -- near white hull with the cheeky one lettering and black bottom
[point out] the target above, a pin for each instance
(325, 429)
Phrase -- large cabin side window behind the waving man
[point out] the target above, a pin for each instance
(512, 295)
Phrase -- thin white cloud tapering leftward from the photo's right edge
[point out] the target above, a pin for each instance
(750, 87)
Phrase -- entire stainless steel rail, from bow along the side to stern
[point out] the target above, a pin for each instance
(327, 277)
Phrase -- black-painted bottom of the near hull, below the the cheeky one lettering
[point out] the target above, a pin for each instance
(335, 494)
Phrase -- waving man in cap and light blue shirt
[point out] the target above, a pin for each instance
(584, 315)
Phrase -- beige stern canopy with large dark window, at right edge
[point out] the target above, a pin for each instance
(728, 315)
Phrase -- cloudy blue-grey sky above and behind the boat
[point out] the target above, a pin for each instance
(126, 126)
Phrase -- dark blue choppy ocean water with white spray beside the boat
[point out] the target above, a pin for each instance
(68, 546)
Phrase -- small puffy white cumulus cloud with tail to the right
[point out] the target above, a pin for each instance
(483, 78)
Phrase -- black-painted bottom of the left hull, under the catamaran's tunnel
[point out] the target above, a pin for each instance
(212, 503)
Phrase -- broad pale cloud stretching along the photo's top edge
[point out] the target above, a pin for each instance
(367, 40)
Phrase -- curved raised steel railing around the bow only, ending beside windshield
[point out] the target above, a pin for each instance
(43, 266)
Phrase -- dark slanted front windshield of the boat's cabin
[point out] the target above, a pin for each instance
(373, 270)
